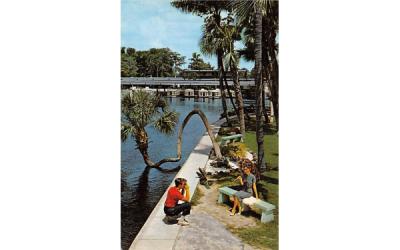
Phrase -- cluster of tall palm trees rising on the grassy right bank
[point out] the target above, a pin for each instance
(255, 22)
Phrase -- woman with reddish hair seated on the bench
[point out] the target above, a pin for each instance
(249, 189)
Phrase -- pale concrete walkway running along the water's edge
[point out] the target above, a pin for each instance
(155, 234)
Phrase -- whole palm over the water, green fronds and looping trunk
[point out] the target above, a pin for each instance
(140, 109)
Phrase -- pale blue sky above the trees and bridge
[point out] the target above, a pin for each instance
(149, 24)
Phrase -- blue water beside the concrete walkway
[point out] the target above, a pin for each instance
(140, 189)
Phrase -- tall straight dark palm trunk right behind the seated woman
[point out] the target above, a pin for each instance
(259, 90)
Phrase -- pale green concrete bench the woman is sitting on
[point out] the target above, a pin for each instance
(267, 209)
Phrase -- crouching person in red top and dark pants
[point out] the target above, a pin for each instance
(175, 194)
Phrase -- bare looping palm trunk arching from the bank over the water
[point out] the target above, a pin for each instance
(179, 143)
